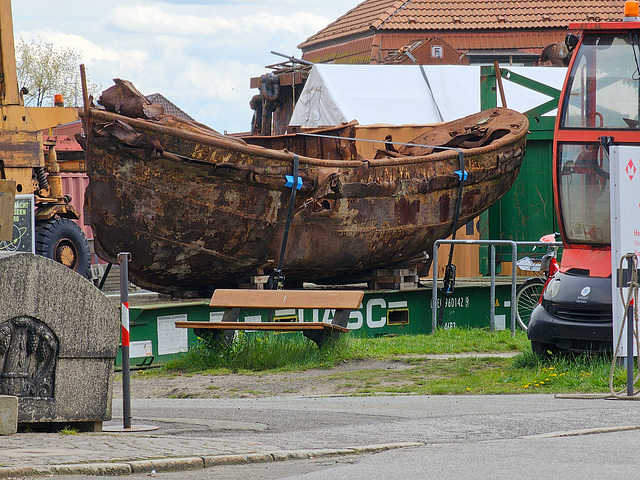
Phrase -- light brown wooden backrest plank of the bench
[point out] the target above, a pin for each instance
(338, 299)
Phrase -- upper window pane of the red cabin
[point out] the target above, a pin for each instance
(603, 84)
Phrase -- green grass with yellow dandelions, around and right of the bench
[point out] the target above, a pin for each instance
(413, 373)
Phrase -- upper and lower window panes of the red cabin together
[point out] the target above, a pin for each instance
(601, 97)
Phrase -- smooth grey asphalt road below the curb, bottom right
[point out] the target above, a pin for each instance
(597, 456)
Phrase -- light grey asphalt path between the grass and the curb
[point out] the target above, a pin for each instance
(318, 422)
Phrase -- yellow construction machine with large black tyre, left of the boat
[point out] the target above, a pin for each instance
(23, 163)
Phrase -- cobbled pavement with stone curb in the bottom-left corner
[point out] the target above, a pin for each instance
(46, 454)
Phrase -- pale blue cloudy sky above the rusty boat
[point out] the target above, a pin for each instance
(200, 54)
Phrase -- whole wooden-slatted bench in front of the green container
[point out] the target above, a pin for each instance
(343, 301)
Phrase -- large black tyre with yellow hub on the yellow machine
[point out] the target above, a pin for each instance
(62, 240)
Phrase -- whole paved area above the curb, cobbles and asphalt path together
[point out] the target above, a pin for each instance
(199, 433)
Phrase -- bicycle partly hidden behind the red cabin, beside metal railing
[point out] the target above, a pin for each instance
(528, 294)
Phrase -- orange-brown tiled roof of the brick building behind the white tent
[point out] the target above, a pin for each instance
(462, 15)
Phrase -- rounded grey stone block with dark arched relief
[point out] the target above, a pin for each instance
(58, 341)
